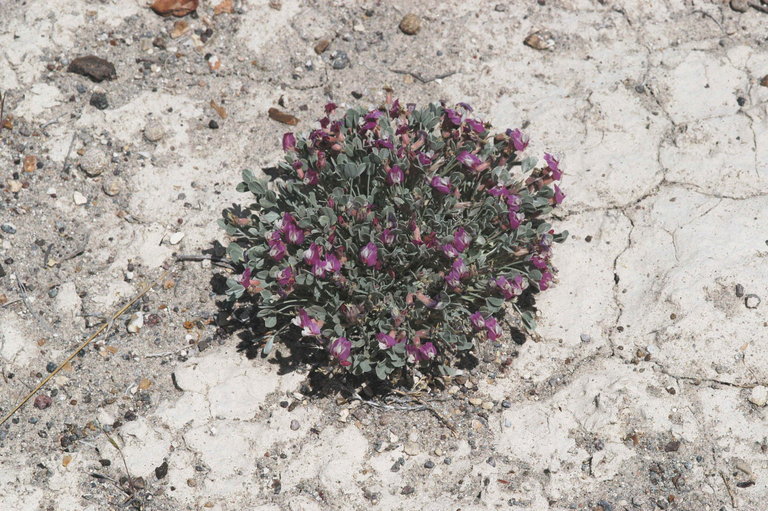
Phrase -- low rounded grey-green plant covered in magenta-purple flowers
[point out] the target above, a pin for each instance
(397, 238)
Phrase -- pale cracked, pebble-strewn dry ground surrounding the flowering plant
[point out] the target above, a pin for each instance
(646, 388)
